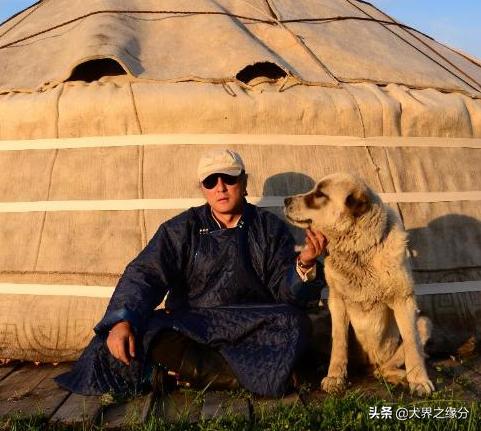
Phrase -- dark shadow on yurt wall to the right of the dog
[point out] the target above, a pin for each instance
(448, 250)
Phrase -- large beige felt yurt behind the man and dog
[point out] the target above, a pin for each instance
(106, 106)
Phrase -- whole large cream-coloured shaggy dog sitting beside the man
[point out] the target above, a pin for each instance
(370, 284)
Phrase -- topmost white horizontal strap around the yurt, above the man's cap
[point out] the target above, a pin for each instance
(235, 139)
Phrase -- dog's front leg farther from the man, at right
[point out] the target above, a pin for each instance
(405, 313)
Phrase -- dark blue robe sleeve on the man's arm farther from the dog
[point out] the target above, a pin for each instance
(145, 282)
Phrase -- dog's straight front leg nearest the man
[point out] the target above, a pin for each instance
(336, 378)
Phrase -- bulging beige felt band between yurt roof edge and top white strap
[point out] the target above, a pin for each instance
(117, 107)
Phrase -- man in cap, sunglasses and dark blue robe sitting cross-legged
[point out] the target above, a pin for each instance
(234, 284)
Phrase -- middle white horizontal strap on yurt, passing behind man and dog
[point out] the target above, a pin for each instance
(167, 204)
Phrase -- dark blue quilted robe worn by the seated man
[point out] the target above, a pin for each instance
(236, 290)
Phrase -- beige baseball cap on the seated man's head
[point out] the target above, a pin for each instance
(220, 162)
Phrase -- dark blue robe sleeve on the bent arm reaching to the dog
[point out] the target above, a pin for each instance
(283, 280)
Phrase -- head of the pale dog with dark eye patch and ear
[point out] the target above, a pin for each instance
(334, 205)
